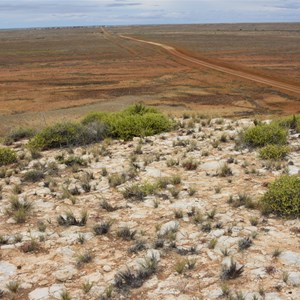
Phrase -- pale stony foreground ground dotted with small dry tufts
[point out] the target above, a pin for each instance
(196, 234)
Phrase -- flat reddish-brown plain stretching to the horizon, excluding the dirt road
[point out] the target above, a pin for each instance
(50, 75)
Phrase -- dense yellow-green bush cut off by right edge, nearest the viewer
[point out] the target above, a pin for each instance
(283, 197)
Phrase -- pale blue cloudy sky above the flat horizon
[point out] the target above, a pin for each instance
(52, 13)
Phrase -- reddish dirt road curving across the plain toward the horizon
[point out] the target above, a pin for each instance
(241, 74)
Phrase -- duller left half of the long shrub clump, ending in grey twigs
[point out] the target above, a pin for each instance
(68, 134)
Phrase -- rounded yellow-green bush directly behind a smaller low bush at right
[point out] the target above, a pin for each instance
(264, 134)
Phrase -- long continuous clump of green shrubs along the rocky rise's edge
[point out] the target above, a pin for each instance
(137, 120)
